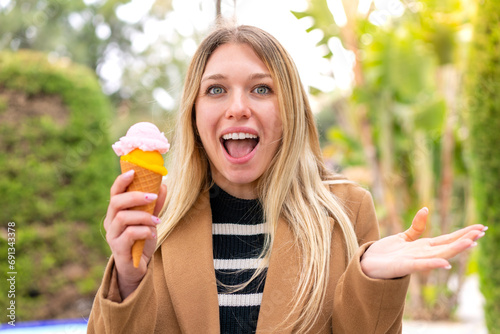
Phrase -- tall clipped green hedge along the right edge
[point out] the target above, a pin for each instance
(484, 118)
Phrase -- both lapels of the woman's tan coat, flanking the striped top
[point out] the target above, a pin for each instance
(190, 276)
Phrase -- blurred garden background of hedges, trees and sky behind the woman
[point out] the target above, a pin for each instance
(406, 94)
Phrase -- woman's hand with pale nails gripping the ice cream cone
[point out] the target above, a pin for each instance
(123, 227)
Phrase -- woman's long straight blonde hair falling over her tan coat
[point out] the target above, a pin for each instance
(294, 187)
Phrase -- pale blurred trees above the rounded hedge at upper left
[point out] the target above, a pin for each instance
(91, 34)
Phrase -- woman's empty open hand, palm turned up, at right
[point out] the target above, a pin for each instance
(404, 253)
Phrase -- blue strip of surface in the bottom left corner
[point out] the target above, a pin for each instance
(66, 326)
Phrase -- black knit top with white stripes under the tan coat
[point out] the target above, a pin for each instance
(238, 233)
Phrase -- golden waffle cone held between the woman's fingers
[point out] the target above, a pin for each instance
(145, 181)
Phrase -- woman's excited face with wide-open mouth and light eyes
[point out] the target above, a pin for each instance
(238, 118)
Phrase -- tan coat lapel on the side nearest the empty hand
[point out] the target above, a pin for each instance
(281, 283)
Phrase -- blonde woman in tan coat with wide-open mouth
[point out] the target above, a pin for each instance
(256, 235)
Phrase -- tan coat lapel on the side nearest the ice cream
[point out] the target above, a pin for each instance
(189, 270)
